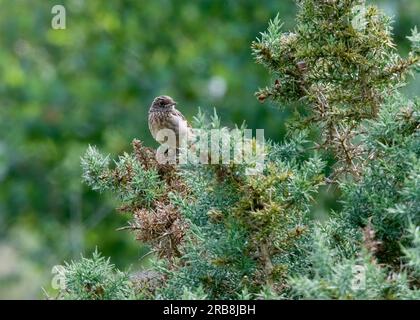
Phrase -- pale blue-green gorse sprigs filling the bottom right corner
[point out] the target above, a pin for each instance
(332, 276)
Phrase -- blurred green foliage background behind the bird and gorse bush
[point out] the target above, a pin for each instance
(92, 83)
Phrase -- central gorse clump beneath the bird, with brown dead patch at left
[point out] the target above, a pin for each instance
(237, 230)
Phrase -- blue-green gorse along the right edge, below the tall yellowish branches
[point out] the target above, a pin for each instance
(387, 195)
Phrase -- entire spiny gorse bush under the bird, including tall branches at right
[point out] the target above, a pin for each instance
(219, 233)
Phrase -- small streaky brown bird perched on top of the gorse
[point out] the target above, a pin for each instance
(164, 115)
